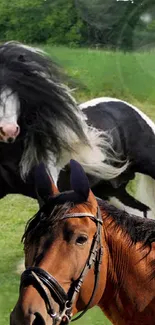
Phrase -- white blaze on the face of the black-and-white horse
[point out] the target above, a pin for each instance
(9, 106)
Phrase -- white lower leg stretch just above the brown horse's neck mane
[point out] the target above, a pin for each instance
(118, 204)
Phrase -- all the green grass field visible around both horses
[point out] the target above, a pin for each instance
(128, 76)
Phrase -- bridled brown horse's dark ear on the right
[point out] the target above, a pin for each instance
(78, 179)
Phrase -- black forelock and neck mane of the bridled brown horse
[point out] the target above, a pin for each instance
(139, 229)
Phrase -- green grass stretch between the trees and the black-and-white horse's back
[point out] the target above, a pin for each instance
(128, 76)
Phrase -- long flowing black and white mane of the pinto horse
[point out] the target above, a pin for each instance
(53, 126)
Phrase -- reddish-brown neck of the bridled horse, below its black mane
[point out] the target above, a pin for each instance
(128, 287)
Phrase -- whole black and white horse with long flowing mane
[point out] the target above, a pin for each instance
(40, 121)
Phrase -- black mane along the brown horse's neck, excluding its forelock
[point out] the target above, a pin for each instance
(139, 229)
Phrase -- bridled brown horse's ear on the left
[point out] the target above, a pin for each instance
(45, 186)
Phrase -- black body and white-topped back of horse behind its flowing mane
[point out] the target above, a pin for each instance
(133, 133)
